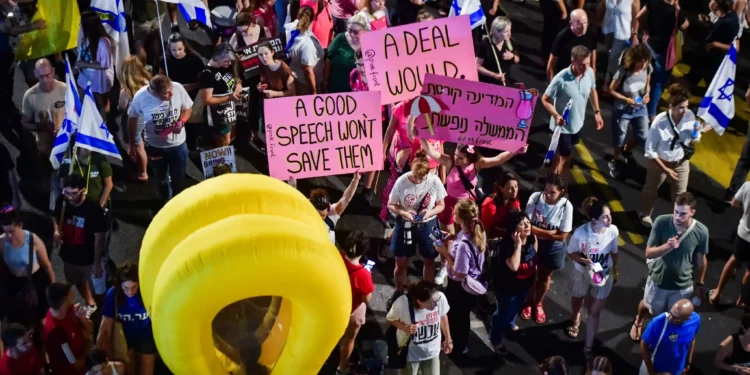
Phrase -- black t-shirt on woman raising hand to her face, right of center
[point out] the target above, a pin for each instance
(507, 282)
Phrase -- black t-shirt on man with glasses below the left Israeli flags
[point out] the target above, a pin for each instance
(78, 229)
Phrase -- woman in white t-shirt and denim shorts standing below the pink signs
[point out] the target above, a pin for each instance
(417, 198)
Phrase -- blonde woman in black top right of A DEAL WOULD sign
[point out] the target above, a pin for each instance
(497, 48)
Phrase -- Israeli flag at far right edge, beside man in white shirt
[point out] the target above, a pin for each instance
(717, 106)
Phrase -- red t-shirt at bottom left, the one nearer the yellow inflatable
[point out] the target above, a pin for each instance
(64, 342)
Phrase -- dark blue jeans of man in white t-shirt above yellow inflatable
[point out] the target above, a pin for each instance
(170, 167)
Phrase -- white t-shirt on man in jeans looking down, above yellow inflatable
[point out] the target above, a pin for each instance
(159, 115)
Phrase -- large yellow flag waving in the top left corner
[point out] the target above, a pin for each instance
(63, 21)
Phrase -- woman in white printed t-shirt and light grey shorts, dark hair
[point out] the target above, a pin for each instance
(593, 248)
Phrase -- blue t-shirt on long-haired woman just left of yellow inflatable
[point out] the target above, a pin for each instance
(135, 320)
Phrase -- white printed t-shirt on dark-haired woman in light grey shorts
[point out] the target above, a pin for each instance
(596, 246)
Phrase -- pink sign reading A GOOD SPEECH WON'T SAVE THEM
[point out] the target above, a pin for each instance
(324, 135)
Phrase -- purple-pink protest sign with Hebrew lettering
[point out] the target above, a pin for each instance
(477, 113)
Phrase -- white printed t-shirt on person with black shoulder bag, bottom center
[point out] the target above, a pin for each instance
(425, 344)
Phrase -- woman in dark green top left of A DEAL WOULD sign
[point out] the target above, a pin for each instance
(340, 59)
